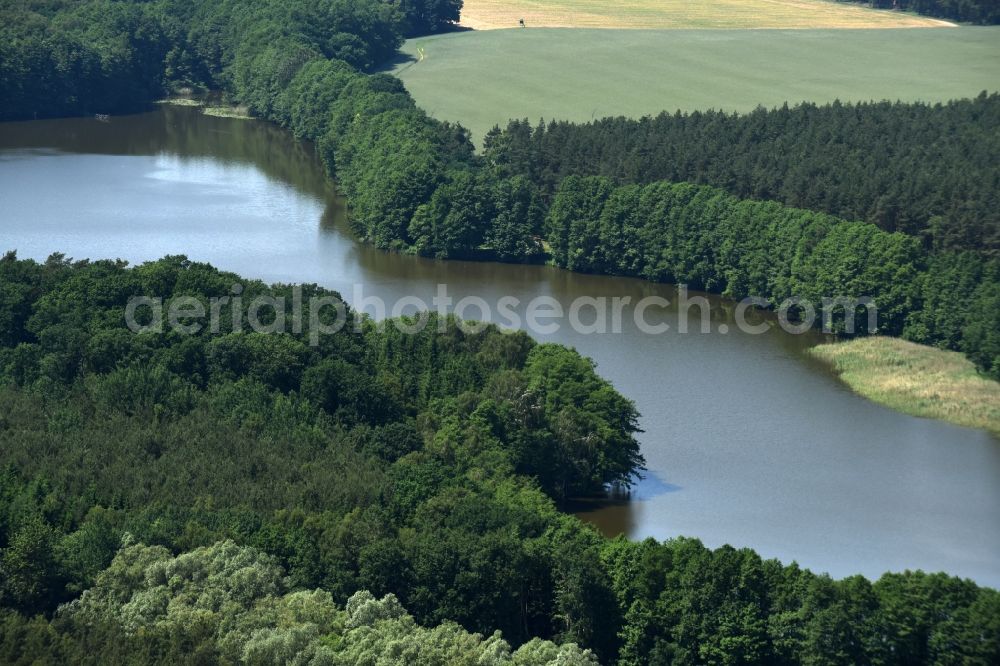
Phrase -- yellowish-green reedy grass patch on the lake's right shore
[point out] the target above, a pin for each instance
(917, 380)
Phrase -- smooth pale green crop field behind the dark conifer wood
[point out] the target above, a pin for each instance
(481, 78)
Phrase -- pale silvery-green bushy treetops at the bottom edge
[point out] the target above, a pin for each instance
(229, 604)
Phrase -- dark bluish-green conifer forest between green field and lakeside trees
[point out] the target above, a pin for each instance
(927, 170)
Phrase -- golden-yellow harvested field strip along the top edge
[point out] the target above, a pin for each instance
(493, 14)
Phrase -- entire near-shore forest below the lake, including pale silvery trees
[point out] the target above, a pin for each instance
(247, 497)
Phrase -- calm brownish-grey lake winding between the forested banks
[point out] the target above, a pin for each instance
(747, 441)
